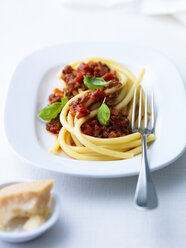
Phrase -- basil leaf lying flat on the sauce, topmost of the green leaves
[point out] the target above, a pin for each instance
(94, 83)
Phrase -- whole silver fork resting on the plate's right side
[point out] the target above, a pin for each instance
(145, 195)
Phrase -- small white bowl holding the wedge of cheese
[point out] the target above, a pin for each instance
(24, 236)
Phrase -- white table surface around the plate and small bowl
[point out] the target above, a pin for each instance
(95, 212)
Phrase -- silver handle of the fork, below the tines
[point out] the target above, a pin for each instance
(145, 195)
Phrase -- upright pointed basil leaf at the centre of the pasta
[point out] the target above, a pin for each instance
(103, 114)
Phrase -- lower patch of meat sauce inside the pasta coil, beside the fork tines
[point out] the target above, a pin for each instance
(119, 125)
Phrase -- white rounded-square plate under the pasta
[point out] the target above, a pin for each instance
(35, 77)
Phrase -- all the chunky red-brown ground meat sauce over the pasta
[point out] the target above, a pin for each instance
(119, 125)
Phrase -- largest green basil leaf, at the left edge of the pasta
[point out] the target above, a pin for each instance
(51, 111)
